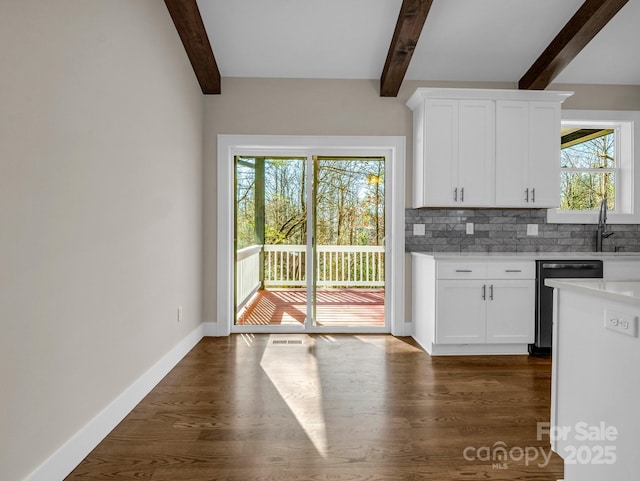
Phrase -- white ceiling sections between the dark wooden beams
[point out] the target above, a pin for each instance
(462, 40)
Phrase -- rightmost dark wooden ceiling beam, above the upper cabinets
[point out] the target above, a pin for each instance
(590, 18)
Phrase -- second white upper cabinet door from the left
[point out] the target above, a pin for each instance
(476, 152)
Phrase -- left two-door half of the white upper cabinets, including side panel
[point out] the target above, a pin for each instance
(456, 140)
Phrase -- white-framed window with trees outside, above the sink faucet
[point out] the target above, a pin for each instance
(597, 163)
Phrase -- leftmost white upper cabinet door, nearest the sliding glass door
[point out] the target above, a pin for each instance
(440, 152)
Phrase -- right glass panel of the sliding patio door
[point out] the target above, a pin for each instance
(348, 228)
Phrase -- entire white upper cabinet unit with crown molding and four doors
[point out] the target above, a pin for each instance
(486, 148)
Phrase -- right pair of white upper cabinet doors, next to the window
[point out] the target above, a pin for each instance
(527, 154)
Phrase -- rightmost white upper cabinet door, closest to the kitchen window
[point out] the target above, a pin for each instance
(544, 154)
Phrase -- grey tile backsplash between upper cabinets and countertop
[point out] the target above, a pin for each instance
(498, 230)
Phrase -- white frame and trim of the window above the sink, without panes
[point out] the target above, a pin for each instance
(627, 126)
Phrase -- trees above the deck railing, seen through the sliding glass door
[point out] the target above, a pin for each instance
(349, 196)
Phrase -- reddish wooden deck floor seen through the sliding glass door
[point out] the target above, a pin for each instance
(335, 307)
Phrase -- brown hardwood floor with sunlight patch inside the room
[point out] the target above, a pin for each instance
(338, 407)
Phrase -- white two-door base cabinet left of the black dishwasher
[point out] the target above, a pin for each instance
(473, 307)
